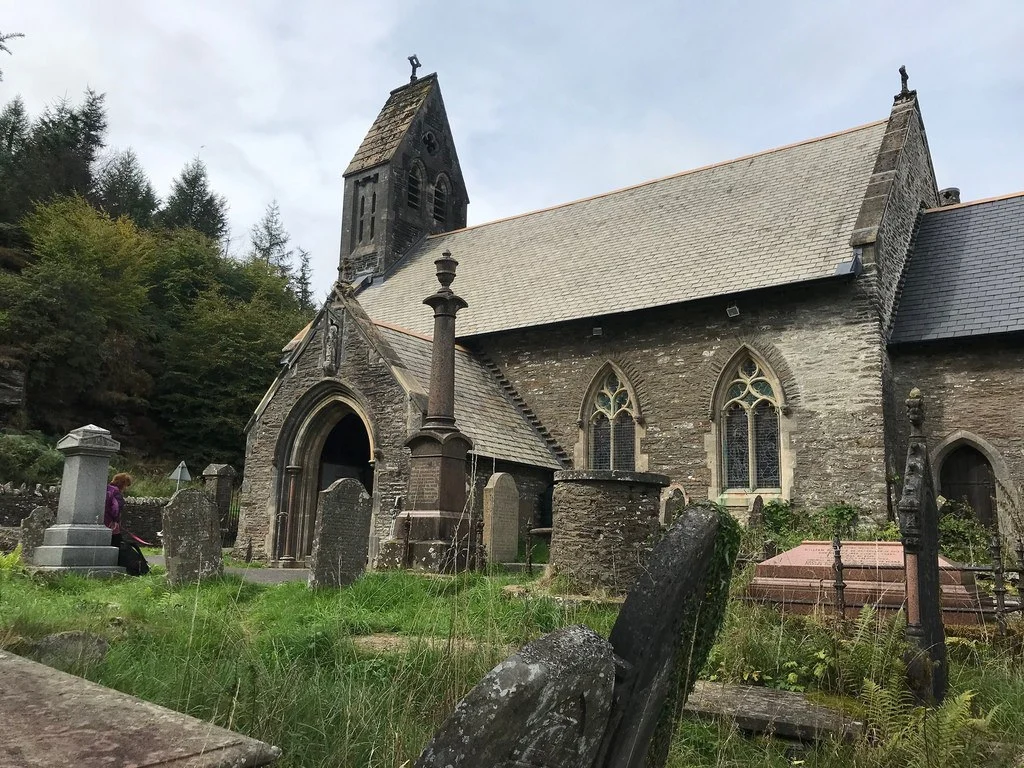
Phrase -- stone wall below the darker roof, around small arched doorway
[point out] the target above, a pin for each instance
(976, 390)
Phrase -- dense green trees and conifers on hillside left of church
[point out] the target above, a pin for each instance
(126, 313)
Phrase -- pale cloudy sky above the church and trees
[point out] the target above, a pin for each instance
(549, 101)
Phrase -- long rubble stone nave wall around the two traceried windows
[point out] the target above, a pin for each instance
(828, 335)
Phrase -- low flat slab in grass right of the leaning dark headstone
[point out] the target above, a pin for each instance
(780, 713)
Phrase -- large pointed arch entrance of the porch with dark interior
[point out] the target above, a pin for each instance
(334, 441)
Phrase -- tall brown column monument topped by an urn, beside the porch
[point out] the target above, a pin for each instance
(433, 532)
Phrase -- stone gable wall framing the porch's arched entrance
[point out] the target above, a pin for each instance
(389, 404)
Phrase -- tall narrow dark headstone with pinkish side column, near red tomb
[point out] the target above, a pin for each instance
(919, 525)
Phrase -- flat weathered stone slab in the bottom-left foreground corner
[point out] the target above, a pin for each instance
(52, 718)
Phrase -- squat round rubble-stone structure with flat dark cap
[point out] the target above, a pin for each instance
(605, 525)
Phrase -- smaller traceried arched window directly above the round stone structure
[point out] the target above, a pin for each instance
(612, 426)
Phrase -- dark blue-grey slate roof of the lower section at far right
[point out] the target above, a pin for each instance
(966, 275)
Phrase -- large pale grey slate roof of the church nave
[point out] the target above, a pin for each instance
(779, 218)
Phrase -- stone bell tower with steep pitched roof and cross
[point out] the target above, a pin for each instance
(404, 182)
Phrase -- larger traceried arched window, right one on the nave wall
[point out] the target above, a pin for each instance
(751, 431)
